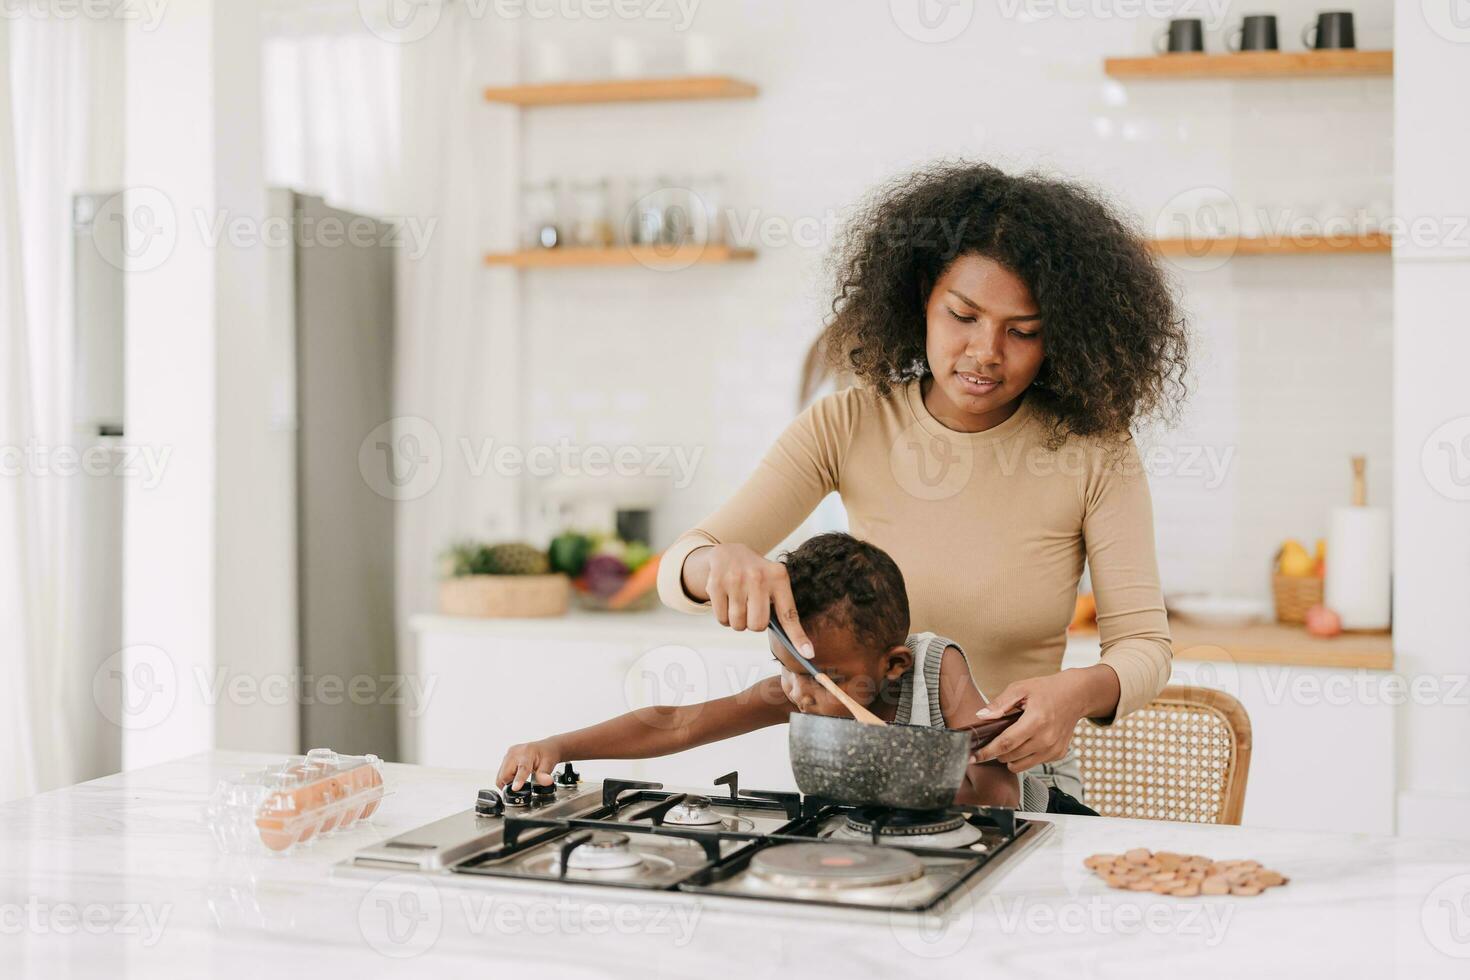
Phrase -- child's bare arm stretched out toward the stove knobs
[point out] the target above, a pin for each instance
(649, 732)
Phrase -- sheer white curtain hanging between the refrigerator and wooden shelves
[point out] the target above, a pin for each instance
(459, 356)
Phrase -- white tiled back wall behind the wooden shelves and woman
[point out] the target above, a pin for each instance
(1294, 358)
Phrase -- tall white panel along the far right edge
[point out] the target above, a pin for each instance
(1433, 430)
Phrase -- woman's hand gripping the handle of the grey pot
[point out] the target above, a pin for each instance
(1052, 709)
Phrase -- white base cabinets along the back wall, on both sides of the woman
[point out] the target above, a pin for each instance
(1324, 738)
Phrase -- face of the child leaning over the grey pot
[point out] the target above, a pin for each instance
(858, 669)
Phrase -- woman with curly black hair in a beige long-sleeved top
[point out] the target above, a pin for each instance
(1006, 334)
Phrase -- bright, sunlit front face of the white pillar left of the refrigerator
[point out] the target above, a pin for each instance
(170, 531)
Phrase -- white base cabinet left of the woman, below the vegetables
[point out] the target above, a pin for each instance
(499, 682)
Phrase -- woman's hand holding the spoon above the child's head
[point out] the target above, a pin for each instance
(743, 588)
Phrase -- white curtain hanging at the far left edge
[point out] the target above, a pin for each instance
(60, 134)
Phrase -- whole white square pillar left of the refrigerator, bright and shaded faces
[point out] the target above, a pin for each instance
(199, 583)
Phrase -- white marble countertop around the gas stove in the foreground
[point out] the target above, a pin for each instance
(120, 878)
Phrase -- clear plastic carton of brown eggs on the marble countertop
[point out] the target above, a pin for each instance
(295, 803)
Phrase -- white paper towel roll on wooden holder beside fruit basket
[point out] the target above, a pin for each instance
(1359, 565)
